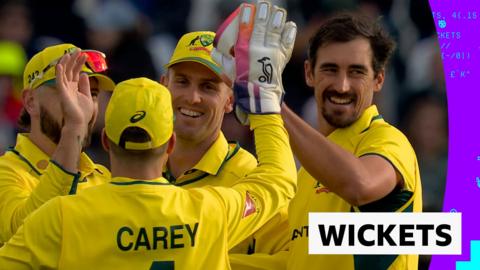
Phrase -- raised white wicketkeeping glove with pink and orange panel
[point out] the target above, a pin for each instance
(262, 44)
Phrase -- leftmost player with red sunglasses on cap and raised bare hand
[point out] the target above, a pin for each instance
(37, 168)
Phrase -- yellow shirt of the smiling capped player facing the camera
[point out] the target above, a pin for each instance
(223, 165)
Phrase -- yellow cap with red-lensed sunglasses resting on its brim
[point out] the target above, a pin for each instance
(41, 67)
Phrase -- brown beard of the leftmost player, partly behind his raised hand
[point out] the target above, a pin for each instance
(53, 129)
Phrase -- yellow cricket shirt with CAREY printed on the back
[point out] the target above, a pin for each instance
(135, 224)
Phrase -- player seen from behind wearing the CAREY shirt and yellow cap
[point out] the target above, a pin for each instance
(141, 221)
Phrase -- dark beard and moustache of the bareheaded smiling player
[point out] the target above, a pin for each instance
(338, 119)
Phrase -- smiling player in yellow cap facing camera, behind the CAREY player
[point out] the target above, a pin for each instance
(202, 156)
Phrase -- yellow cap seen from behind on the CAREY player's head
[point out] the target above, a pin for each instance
(141, 103)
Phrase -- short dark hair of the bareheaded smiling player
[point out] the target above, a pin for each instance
(346, 27)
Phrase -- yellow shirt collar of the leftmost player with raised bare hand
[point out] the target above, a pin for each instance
(39, 160)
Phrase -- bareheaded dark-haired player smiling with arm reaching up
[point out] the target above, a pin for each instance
(355, 161)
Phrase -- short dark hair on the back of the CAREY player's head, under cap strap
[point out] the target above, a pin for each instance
(138, 135)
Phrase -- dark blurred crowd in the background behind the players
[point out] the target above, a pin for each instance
(139, 36)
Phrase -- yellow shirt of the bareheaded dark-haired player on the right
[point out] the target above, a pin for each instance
(369, 135)
